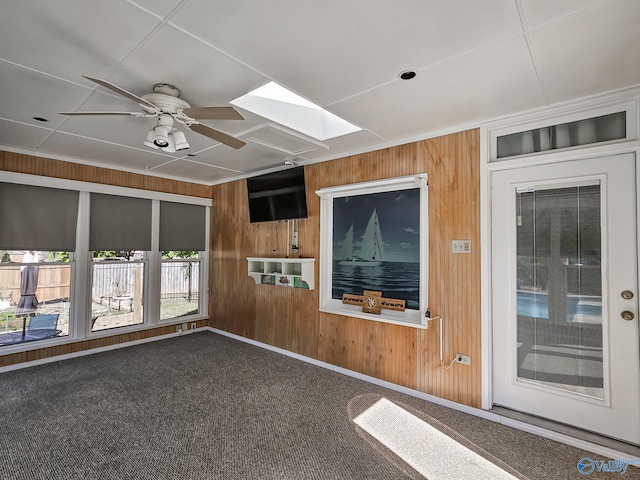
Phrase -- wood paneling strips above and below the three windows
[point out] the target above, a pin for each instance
(18, 163)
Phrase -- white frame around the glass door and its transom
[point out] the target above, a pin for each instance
(629, 99)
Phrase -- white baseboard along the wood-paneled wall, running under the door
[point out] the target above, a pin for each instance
(493, 417)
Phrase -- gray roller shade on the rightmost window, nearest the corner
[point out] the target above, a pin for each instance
(182, 226)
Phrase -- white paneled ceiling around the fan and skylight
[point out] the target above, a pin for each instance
(476, 60)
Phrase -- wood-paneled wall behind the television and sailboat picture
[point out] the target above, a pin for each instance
(289, 318)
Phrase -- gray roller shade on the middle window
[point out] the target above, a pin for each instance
(119, 223)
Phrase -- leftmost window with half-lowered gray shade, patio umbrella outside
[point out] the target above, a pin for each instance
(37, 243)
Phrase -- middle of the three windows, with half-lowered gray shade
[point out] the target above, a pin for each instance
(120, 230)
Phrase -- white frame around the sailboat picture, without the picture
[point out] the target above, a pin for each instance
(413, 318)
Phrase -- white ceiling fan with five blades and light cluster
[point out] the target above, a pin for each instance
(165, 104)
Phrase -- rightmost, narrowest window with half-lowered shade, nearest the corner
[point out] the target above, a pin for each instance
(182, 241)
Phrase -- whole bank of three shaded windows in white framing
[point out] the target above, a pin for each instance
(94, 260)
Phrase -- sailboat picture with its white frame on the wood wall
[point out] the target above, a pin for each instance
(374, 238)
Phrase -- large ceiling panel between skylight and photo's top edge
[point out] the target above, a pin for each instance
(326, 51)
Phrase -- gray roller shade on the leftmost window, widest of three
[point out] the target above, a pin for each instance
(37, 218)
